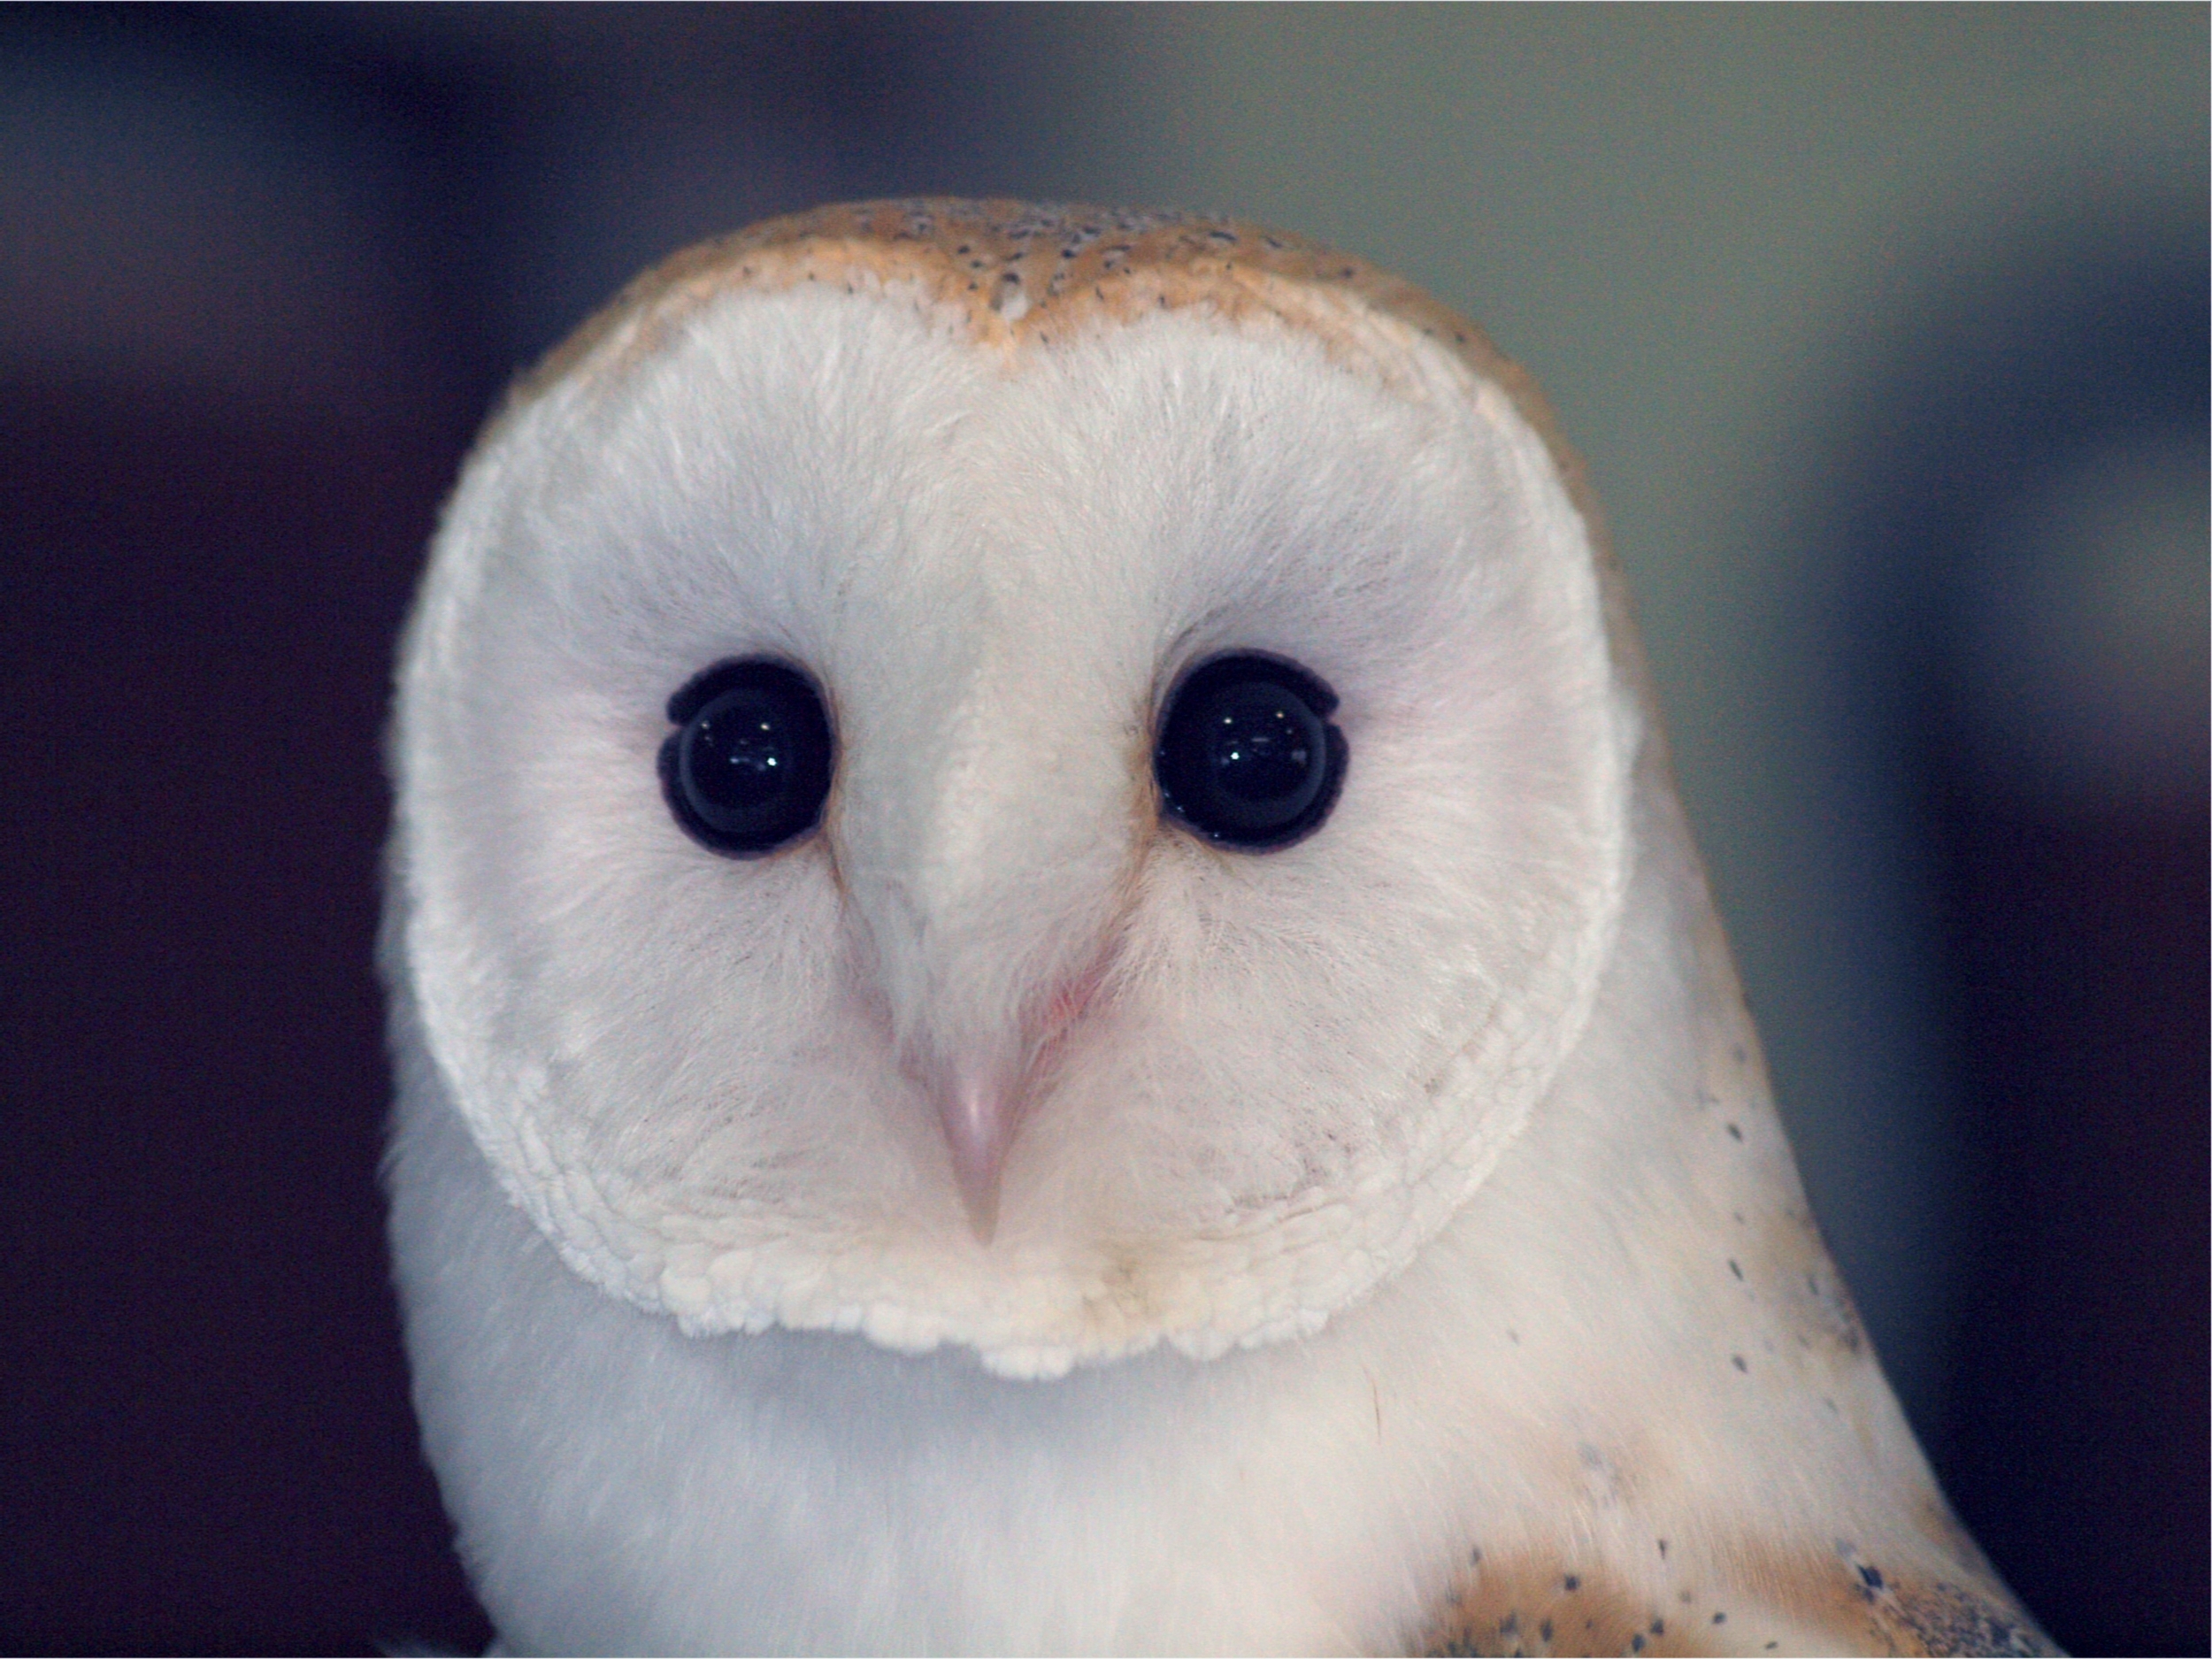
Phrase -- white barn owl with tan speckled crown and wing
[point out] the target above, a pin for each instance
(1052, 999)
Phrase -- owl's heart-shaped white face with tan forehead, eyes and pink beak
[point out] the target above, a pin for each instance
(1047, 826)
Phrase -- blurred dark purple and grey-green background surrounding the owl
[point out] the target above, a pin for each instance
(1884, 333)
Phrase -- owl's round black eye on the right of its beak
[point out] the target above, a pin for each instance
(1246, 753)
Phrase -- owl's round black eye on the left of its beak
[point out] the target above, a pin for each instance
(749, 766)
